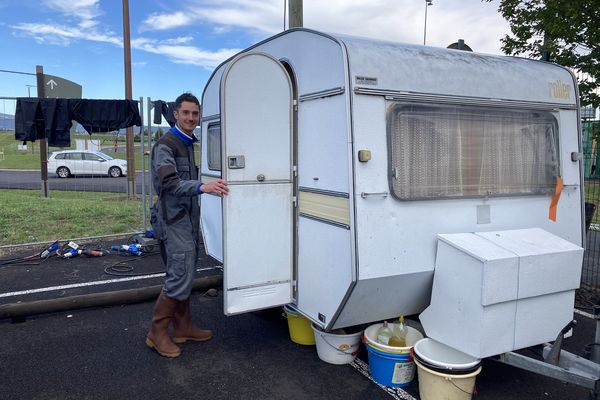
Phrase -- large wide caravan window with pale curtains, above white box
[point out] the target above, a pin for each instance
(463, 151)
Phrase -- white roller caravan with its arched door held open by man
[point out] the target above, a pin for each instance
(350, 161)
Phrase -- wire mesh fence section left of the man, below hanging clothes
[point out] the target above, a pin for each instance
(87, 183)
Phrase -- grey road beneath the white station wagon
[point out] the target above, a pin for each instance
(11, 179)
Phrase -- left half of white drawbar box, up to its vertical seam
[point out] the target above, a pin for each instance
(456, 316)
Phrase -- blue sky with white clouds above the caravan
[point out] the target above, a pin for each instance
(175, 45)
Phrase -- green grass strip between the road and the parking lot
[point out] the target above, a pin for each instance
(26, 217)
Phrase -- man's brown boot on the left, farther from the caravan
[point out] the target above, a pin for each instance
(158, 337)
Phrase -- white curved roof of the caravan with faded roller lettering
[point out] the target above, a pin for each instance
(324, 61)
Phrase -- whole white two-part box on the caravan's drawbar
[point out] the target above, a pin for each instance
(495, 292)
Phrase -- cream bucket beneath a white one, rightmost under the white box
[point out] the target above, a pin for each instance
(435, 385)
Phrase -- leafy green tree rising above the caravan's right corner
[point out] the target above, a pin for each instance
(566, 30)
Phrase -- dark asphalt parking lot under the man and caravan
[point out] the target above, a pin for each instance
(99, 352)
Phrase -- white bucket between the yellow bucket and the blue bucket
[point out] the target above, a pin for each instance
(336, 348)
